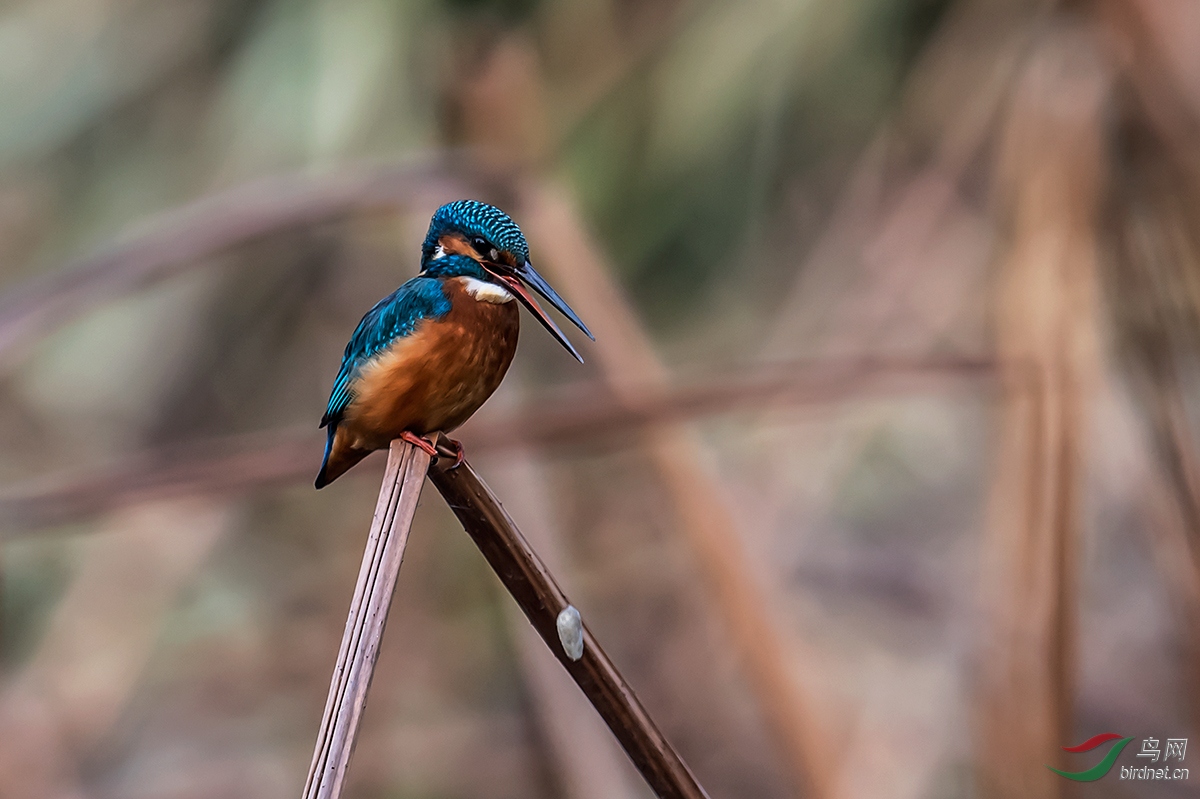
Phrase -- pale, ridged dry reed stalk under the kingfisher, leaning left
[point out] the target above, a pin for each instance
(365, 623)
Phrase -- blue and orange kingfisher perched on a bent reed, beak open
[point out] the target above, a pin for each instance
(427, 357)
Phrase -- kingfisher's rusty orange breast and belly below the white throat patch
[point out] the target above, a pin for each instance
(437, 377)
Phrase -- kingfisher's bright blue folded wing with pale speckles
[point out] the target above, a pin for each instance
(393, 317)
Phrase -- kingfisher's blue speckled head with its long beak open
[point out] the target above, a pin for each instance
(481, 241)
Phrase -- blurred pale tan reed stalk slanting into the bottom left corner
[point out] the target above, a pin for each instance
(68, 699)
